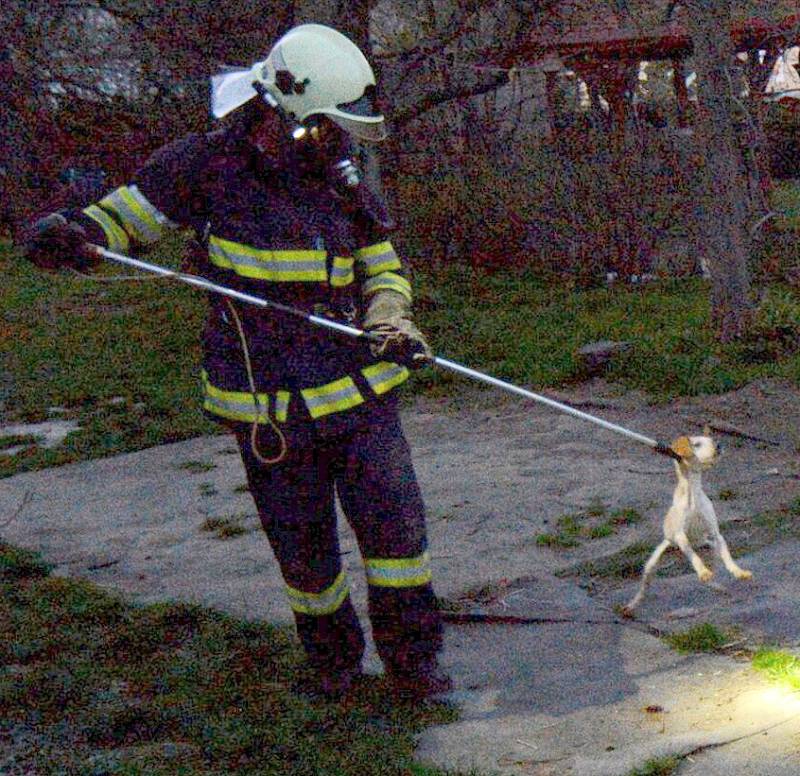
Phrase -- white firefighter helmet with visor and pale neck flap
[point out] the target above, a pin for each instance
(311, 70)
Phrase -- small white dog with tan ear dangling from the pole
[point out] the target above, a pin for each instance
(692, 517)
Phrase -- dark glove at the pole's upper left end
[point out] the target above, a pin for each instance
(54, 242)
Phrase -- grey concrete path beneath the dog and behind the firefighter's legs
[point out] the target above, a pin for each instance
(575, 691)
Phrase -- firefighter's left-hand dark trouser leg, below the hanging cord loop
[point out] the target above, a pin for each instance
(295, 503)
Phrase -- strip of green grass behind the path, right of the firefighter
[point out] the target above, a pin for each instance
(526, 331)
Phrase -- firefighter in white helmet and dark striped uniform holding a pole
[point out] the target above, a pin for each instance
(276, 200)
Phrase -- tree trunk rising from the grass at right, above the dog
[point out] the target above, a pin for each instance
(722, 192)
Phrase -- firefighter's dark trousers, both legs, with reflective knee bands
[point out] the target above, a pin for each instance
(371, 471)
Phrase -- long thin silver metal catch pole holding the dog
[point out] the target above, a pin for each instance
(207, 285)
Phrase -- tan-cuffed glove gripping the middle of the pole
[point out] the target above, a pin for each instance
(396, 337)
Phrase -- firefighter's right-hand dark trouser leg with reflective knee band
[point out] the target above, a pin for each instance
(381, 498)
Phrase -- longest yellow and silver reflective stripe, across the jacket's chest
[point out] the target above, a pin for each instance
(275, 266)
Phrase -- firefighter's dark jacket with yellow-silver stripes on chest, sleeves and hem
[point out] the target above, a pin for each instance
(268, 232)
